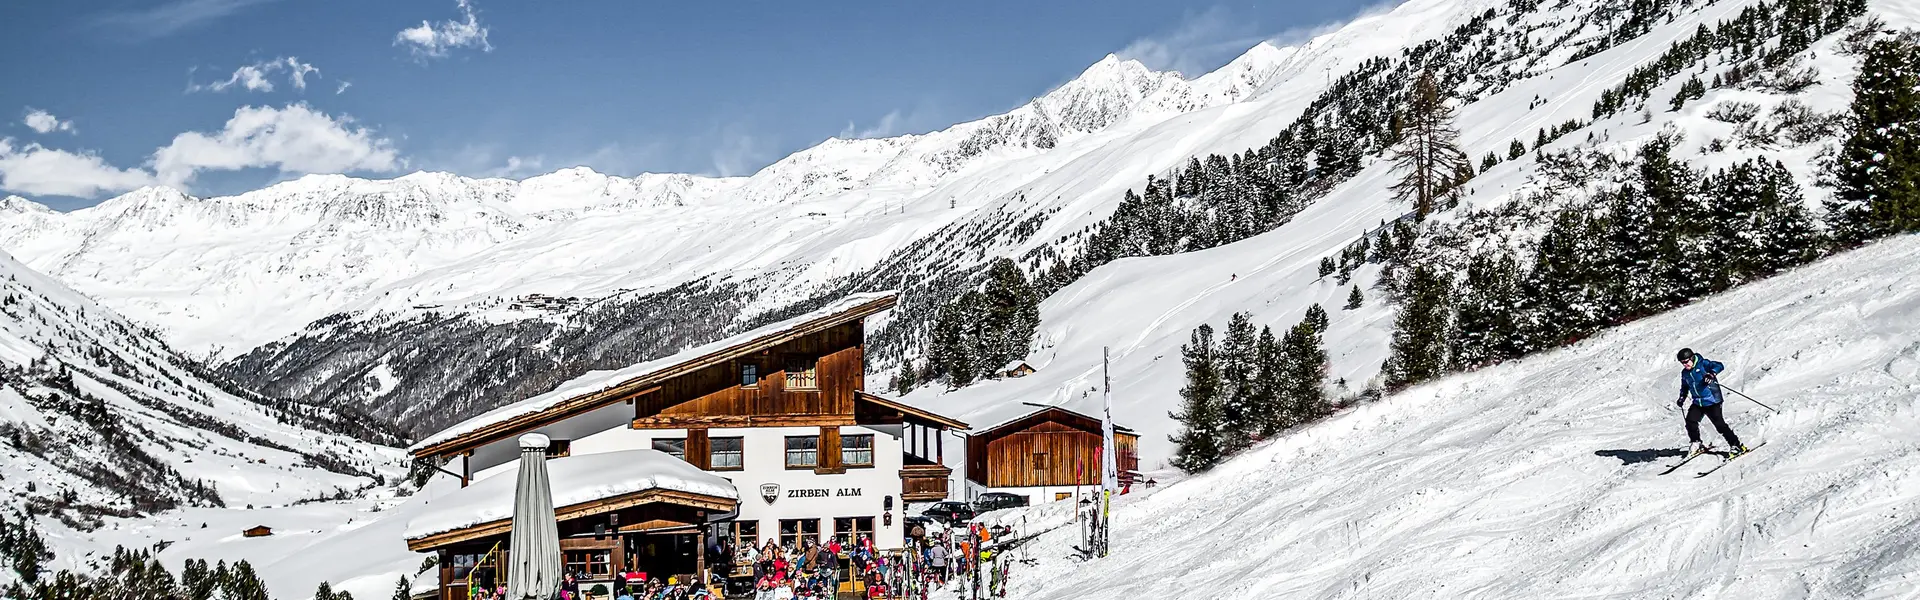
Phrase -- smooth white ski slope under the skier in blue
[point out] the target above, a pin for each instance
(1537, 478)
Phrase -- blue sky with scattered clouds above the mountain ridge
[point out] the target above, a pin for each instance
(229, 95)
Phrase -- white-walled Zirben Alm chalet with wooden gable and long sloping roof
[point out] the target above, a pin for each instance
(782, 412)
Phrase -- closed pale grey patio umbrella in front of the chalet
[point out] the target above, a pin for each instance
(535, 547)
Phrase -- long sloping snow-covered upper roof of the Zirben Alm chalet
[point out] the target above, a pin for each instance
(853, 307)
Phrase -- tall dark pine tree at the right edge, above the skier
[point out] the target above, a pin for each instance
(1879, 166)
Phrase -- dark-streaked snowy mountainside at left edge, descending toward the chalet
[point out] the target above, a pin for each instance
(103, 420)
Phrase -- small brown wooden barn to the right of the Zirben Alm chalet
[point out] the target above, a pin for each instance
(1045, 455)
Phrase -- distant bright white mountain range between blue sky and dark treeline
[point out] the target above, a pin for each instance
(295, 253)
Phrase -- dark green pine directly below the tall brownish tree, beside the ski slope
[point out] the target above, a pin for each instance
(1420, 343)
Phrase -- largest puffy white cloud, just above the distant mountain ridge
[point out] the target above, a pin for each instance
(293, 139)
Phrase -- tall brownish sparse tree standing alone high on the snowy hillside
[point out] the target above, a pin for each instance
(1428, 157)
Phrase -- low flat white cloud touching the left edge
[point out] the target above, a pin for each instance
(45, 172)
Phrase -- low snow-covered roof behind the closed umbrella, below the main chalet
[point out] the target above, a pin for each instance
(575, 480)
